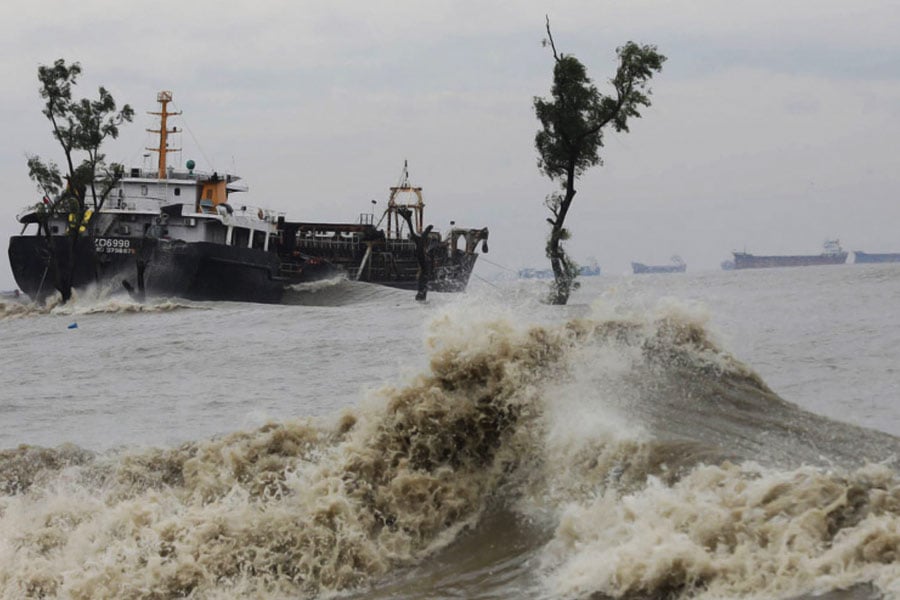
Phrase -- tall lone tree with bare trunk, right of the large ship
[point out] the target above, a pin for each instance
(571, 135)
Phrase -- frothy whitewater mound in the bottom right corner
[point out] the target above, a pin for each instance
(733, 531)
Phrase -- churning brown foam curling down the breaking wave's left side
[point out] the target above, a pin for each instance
(288, 507)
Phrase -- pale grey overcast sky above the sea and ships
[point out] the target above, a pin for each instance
(775, 123)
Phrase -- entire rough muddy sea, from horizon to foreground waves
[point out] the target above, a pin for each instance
(701, 435)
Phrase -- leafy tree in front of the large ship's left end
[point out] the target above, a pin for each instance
(81, 188)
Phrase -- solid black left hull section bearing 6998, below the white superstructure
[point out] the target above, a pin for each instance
(195, 271)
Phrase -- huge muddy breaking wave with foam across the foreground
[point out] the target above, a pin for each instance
(613, 457)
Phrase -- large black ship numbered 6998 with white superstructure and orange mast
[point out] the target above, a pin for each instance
(184, 233)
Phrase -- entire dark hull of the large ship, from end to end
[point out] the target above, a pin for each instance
(215, 272)
